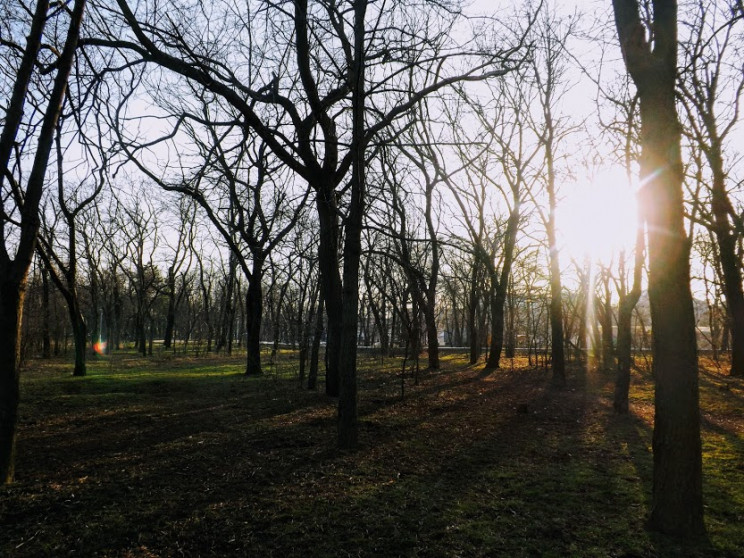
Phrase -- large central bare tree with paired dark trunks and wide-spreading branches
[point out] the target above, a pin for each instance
(312, 106)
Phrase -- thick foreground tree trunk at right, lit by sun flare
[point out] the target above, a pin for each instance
(677, 503)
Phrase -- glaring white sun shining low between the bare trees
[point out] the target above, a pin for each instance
(598, 218)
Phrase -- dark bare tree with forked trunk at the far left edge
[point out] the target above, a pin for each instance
(19, 225)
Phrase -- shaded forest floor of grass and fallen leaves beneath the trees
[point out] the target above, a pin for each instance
(187, 457)
